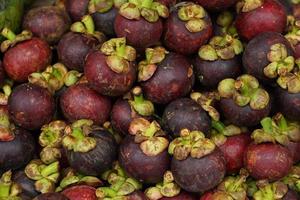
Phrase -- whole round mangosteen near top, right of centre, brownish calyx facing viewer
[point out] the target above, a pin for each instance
(187, 28)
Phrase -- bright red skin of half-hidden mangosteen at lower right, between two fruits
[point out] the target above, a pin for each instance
(233, 150)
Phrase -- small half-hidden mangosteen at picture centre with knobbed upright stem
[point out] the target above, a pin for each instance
(131, 106)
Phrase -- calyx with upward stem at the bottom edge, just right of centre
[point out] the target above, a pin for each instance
(167, 188)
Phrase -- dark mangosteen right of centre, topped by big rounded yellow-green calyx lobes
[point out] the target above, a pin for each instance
(243, 101)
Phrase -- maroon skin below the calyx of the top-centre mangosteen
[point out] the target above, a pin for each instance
(139, 33)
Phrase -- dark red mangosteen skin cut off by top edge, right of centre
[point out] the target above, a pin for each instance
(216, 5)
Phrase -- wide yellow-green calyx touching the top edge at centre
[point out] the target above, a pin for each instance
(148, 9)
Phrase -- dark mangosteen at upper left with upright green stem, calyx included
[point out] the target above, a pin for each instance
(74, 46)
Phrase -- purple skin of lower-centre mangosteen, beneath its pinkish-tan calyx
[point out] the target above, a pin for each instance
(136, 163)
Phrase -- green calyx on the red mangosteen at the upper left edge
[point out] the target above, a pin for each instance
(13, 39)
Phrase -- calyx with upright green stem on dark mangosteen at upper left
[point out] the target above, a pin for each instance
(87, 26)
